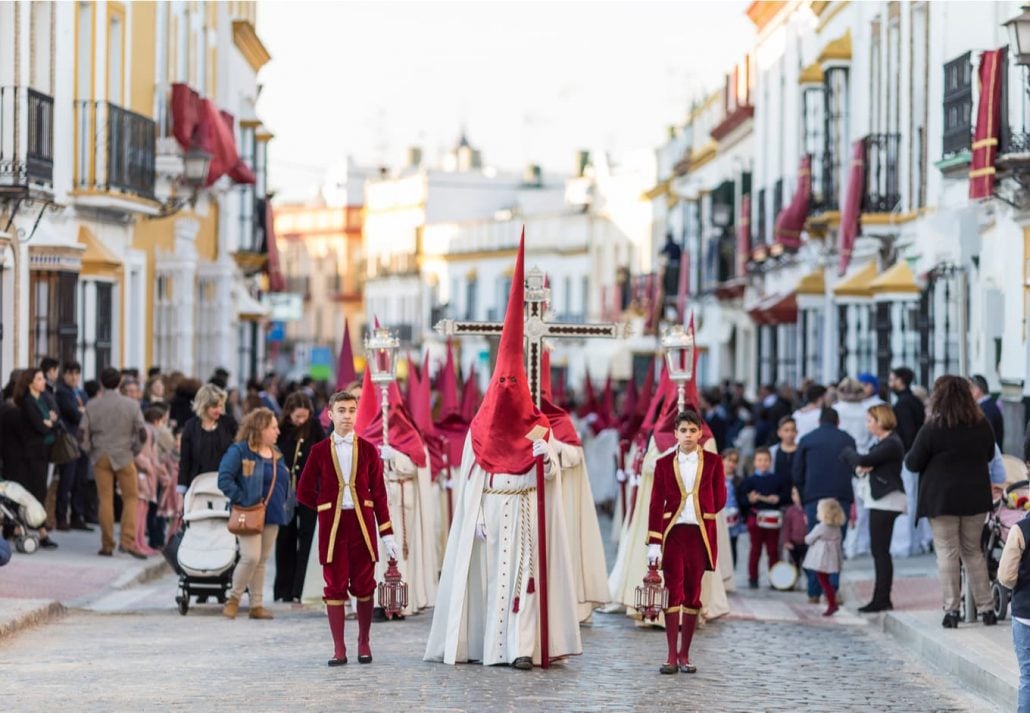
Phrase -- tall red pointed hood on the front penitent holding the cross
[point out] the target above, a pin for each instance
(508, 415)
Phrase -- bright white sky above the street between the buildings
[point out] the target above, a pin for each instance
(531, 82)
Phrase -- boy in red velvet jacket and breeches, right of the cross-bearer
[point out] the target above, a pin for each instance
(690, 490)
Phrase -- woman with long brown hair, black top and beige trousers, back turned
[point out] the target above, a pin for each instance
(952, 454)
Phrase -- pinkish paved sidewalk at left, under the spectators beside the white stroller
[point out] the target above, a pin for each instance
(36, 589)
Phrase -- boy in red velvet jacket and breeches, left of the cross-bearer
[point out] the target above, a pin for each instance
(344, 483)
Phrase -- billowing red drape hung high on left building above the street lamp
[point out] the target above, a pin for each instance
(198, 122)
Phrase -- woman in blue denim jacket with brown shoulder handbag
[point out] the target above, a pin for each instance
(256, 482)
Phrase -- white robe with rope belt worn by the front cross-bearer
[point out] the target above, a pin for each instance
(474, 619)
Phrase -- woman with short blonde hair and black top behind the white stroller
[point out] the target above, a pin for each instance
(207, 436)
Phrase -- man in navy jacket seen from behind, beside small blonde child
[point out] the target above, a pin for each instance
(820, 472)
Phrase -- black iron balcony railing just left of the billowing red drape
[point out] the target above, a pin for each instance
(116, 150)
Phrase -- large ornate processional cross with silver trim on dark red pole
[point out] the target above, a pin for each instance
(536, 329)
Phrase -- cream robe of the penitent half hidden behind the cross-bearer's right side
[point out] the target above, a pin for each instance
(590, 568)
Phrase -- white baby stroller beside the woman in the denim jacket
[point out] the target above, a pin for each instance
(208, 553)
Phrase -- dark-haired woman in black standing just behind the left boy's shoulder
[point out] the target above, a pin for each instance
(299, 430)
